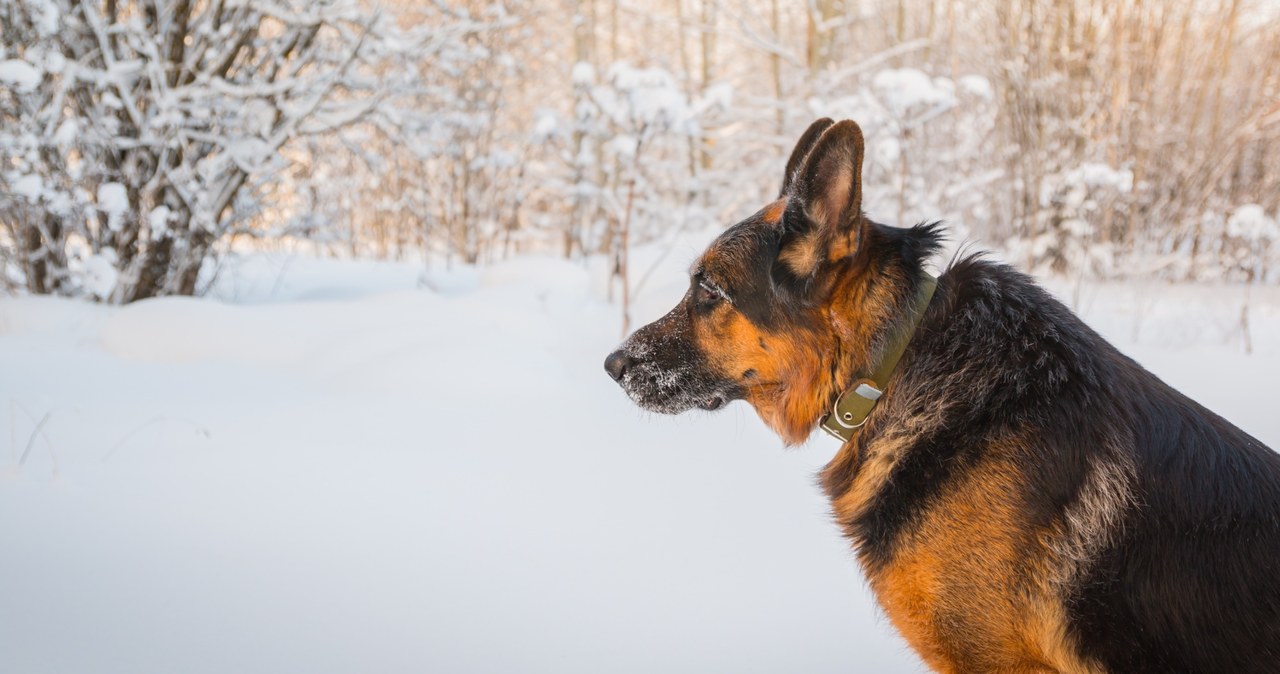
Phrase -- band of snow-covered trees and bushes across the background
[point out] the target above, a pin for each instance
(136, 143)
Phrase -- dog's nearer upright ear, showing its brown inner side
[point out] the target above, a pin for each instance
(825, 201)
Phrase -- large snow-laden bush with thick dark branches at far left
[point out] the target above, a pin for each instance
(135, 136)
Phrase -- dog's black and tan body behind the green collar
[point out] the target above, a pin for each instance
(1150, 521)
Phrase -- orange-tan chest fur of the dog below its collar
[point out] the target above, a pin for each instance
(958, 577)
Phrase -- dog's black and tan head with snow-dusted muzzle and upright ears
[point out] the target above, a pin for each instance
(783, 306)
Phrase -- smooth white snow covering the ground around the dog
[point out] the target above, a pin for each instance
(356, 467)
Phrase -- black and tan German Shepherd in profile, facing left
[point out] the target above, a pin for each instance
(1022, 497)
